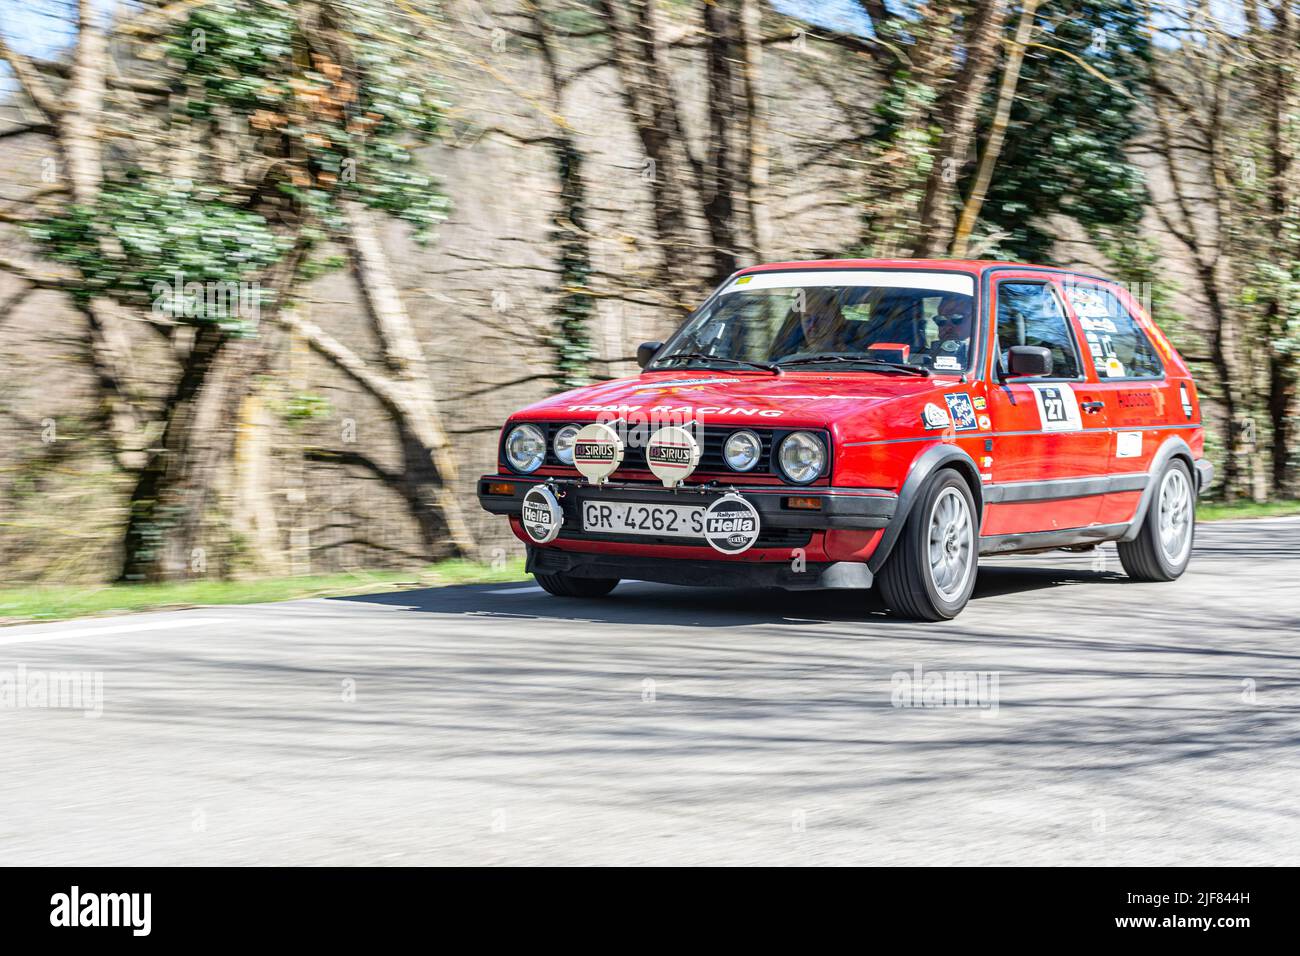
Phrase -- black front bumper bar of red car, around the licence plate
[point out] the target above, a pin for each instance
(850, 509)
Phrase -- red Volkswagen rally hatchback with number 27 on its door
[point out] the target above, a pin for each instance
(859, 423)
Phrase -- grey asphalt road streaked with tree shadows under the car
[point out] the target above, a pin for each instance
(1136, 724)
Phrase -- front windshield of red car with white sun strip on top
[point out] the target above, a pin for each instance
(843, 321)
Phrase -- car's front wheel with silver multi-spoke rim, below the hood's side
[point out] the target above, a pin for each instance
(930, 574)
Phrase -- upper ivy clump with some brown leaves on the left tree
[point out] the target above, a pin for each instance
(358, 127)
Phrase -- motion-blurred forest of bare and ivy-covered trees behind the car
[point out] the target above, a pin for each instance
(274, 274)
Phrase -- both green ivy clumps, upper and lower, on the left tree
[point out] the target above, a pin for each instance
(333, 98)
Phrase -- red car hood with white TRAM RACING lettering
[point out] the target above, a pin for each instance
(726, 397)
